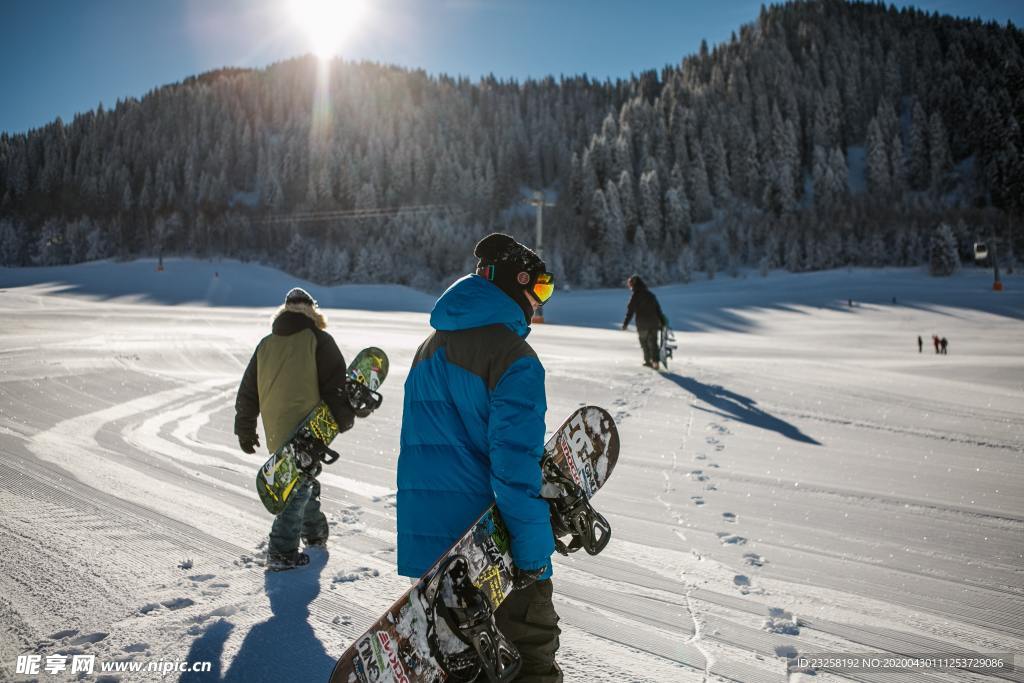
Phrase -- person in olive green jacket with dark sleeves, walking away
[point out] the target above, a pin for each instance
(291, 371)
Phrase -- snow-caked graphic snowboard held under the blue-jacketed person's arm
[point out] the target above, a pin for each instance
(416, 641)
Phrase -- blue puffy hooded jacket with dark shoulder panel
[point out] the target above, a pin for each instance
(473, 433)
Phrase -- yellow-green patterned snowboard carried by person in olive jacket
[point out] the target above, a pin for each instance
(308, 447)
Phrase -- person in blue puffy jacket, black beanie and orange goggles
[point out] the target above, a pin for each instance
(473, 435)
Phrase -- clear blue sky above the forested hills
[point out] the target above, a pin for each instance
(59, 58)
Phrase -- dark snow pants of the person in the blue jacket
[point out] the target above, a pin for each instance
(528, 618)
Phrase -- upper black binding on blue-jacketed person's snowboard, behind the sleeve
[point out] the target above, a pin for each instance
(572, 515)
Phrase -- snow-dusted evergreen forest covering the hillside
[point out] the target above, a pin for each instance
(824, 134)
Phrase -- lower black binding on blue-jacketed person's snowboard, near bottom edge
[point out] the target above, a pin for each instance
(468, 615)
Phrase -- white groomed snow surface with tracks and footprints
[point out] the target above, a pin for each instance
(802, 481)
